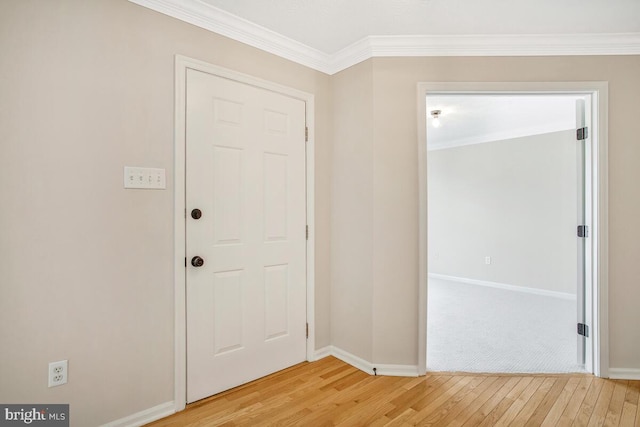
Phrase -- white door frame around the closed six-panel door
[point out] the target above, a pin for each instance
(182, 63)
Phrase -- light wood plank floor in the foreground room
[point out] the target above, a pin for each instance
(330, 392)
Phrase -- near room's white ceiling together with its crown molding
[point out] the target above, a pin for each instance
(332, 35)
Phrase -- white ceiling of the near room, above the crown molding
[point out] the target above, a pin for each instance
(332, 25)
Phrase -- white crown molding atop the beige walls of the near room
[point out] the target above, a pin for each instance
(219, 21)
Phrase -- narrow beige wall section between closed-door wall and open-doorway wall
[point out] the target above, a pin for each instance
(352, 211)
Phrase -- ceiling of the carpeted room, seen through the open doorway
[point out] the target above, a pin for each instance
(475, 119)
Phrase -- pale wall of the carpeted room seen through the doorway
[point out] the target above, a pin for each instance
(513, 200)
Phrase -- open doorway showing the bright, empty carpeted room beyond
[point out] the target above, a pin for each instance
(506, 278)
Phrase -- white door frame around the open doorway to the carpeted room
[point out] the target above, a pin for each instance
(599, 198)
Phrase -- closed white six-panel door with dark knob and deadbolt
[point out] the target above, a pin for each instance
(245, 172)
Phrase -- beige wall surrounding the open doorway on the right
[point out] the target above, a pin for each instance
(395, 184)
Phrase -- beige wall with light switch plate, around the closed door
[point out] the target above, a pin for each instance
(86, 266)
